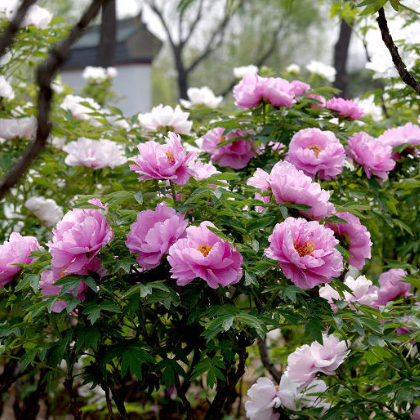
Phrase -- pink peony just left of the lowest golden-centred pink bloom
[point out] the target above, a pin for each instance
(154, 232)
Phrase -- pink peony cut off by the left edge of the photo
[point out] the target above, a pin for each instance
(15, 251)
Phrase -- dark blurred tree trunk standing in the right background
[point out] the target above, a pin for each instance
(341, 50)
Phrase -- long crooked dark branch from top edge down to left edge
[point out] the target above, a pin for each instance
(45, 74)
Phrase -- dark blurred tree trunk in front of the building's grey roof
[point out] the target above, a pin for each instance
(105, 57)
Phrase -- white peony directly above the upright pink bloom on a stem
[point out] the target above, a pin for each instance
(166, 117)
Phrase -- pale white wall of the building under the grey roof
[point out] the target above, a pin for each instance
(133, 86)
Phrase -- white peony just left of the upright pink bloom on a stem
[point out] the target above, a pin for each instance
(94, 154)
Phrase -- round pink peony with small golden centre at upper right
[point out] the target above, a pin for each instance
(317, 152)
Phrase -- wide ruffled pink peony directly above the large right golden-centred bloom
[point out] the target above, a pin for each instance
(289, 184)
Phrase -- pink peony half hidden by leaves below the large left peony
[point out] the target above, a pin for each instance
(49, 277)
